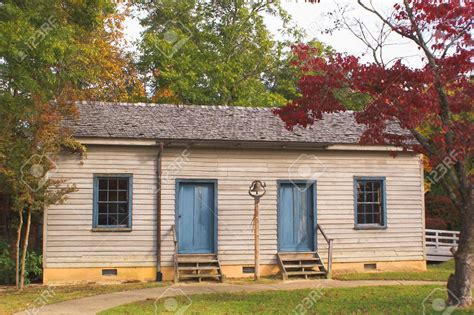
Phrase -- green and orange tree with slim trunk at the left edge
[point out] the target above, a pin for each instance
(51, 54)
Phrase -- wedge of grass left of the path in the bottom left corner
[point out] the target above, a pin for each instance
(13, 301)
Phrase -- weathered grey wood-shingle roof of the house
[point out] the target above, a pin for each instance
(209, 123)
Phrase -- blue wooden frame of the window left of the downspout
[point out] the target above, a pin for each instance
(95, 221)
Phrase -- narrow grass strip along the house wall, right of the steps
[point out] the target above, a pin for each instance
(438, 272)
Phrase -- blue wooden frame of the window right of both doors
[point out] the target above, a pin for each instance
(371, 226)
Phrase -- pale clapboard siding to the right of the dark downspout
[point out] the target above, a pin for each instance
(235, 169)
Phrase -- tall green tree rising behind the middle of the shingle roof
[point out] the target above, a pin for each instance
(215, 52)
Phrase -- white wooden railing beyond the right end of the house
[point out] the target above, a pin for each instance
(439, 244)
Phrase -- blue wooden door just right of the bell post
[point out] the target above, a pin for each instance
(296, 218)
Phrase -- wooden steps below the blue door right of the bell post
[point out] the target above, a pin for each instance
(304, 264)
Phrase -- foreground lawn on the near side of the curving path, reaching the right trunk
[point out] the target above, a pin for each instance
(362, 300)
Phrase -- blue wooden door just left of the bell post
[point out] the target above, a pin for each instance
(196, 218)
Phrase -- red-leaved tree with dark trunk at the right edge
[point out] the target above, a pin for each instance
(434, 103)
